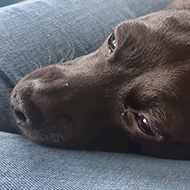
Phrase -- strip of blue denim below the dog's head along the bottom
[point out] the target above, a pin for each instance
(26, 165)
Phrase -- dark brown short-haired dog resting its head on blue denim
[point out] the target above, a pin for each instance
(130, 95)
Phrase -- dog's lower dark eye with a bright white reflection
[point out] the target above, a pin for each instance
(144, 124)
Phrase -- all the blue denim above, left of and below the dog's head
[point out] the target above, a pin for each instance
(33, 35)
